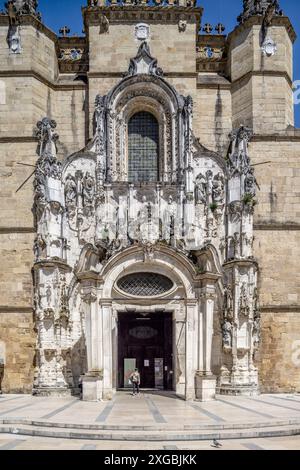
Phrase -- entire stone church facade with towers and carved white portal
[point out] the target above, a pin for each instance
(149, 202)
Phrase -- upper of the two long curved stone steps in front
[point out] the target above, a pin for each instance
(156, 428)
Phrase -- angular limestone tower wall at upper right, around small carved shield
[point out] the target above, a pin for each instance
(262, 91)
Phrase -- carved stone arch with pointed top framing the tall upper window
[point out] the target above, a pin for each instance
(141, 90)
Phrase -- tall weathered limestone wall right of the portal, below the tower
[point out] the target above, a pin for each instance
(277, 248)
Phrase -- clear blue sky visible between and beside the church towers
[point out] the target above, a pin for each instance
(57, 13)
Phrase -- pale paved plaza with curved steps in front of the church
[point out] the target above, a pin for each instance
(159, 420)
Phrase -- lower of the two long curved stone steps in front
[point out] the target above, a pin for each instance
(152, 436)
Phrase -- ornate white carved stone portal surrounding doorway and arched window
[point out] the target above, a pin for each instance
(103, 242)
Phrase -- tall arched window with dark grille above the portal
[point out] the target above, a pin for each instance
(143, 148)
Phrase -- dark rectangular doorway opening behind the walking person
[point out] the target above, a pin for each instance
(146, 342)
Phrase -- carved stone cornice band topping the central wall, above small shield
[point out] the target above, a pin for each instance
(154, 14)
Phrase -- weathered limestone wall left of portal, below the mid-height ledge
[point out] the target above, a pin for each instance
(16, 315)
